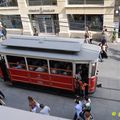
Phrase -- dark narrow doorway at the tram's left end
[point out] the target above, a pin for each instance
(4, 70)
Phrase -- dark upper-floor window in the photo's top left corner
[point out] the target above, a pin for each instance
(8, 3)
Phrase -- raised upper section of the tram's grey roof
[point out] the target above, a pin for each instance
(47, 43)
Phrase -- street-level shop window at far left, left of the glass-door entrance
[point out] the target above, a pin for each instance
(11, 21)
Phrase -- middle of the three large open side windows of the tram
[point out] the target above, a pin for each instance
(38, 65)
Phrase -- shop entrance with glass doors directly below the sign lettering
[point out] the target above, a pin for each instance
(45, 23)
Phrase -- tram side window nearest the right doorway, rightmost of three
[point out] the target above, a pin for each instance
(62, 68)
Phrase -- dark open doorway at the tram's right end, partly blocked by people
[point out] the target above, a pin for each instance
(83, 70)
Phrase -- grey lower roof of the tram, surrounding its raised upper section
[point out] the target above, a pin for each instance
(87, 52)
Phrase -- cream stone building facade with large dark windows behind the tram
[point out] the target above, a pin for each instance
(63, 17)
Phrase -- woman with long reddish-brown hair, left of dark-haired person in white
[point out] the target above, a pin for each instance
(33, 104)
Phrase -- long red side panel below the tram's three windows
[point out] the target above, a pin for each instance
(44, 79)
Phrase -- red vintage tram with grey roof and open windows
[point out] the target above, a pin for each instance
(48, 61)
